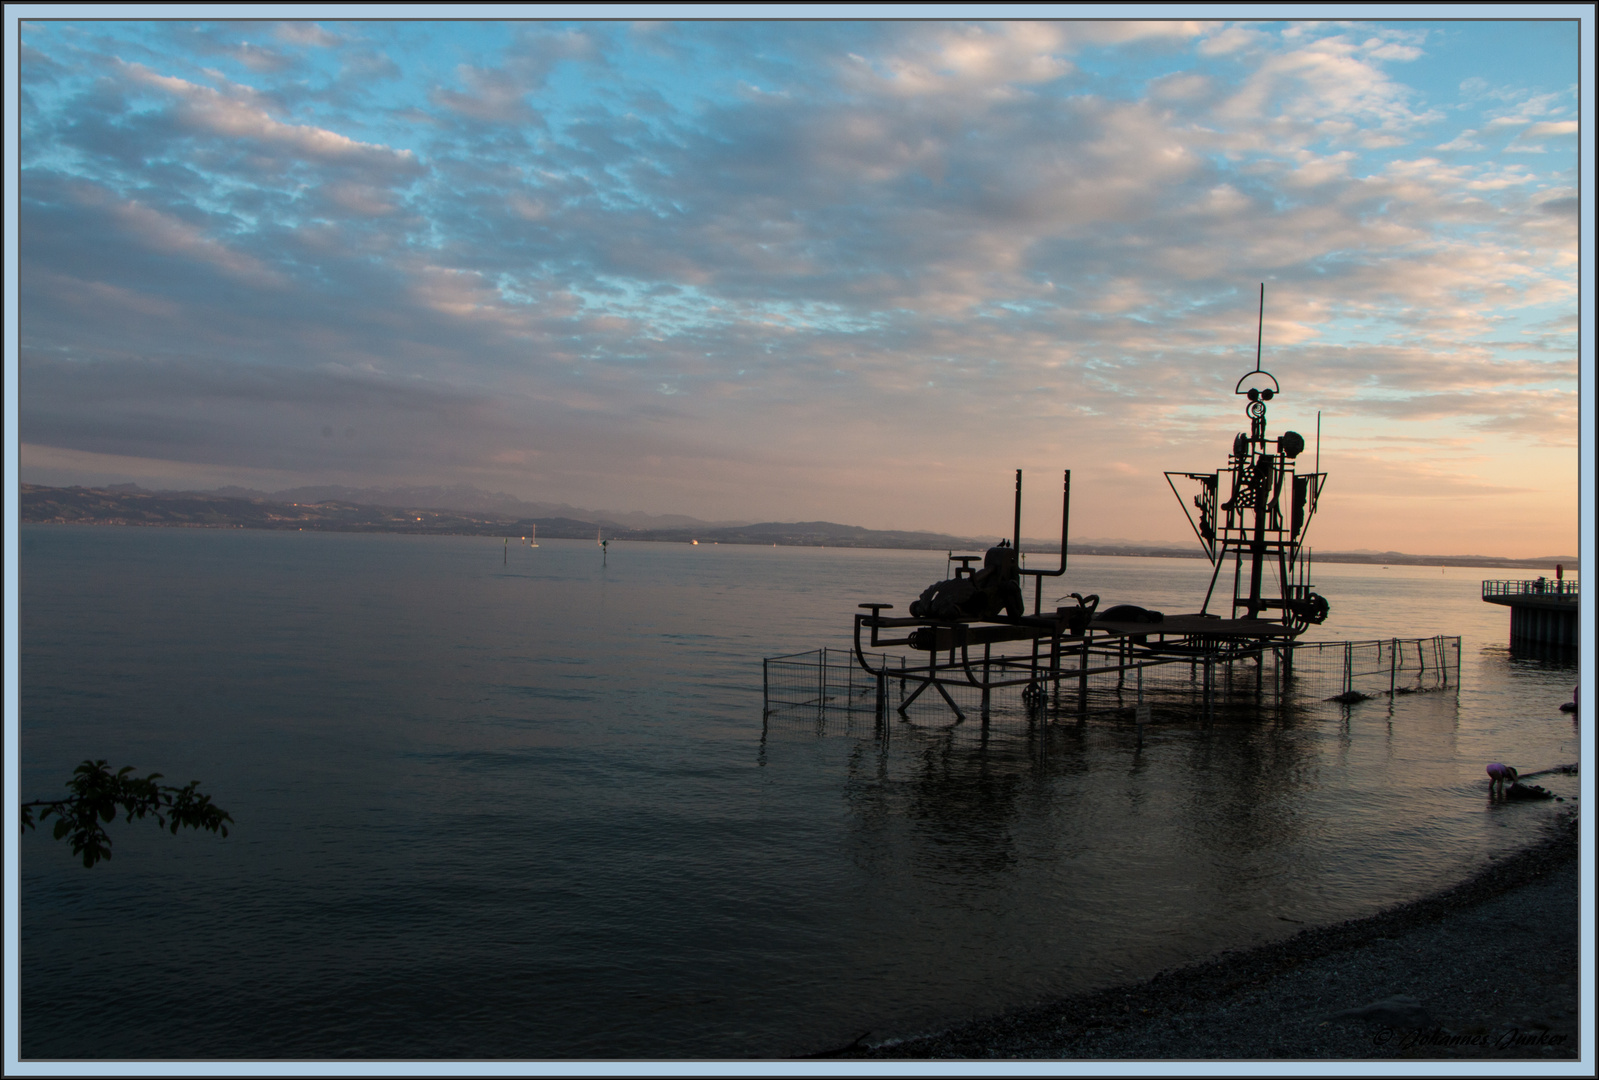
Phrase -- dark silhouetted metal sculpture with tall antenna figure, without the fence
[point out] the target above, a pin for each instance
(1254, 511)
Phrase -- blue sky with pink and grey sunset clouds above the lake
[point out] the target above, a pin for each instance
(851, 271)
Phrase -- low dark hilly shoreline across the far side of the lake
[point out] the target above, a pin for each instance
(95, 506)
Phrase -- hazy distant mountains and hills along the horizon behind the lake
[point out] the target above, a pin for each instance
(479, 513)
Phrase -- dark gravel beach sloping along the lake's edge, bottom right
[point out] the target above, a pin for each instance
(1485, 970)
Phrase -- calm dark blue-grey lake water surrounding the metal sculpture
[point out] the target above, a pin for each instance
(514, 804)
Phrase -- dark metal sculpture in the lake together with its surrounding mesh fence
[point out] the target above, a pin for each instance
(973, 634)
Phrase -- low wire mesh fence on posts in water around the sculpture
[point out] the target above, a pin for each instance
(1112, 682)
